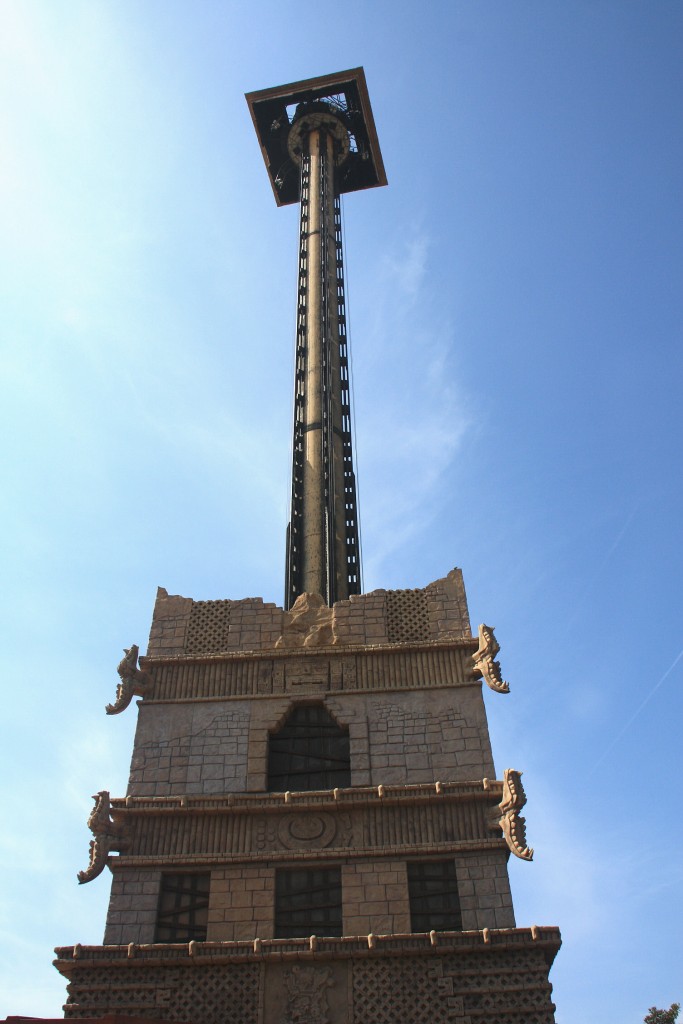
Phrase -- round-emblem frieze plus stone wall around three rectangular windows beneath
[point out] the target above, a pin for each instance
(370, 834)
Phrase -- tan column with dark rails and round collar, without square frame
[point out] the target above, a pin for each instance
(323, 538)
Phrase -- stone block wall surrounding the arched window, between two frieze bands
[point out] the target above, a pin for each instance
(399, 739)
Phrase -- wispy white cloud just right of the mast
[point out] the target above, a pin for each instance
(414, 422)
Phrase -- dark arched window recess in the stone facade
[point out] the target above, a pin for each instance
(311, 752)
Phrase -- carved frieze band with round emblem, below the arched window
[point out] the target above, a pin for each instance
(354, 824)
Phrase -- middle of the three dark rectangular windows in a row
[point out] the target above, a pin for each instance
(309, 903)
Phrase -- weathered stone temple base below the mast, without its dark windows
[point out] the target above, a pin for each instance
(396, 669)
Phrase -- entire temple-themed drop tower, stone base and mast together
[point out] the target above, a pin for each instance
(314, 830)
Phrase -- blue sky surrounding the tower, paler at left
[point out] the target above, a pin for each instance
(516, 323)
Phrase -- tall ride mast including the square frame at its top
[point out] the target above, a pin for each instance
(319, 141)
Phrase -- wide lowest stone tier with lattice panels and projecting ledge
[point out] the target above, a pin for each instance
(473, 977)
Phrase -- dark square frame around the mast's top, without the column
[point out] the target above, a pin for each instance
(272, 112)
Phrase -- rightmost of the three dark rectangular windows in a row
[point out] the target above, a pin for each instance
(435, 901)
